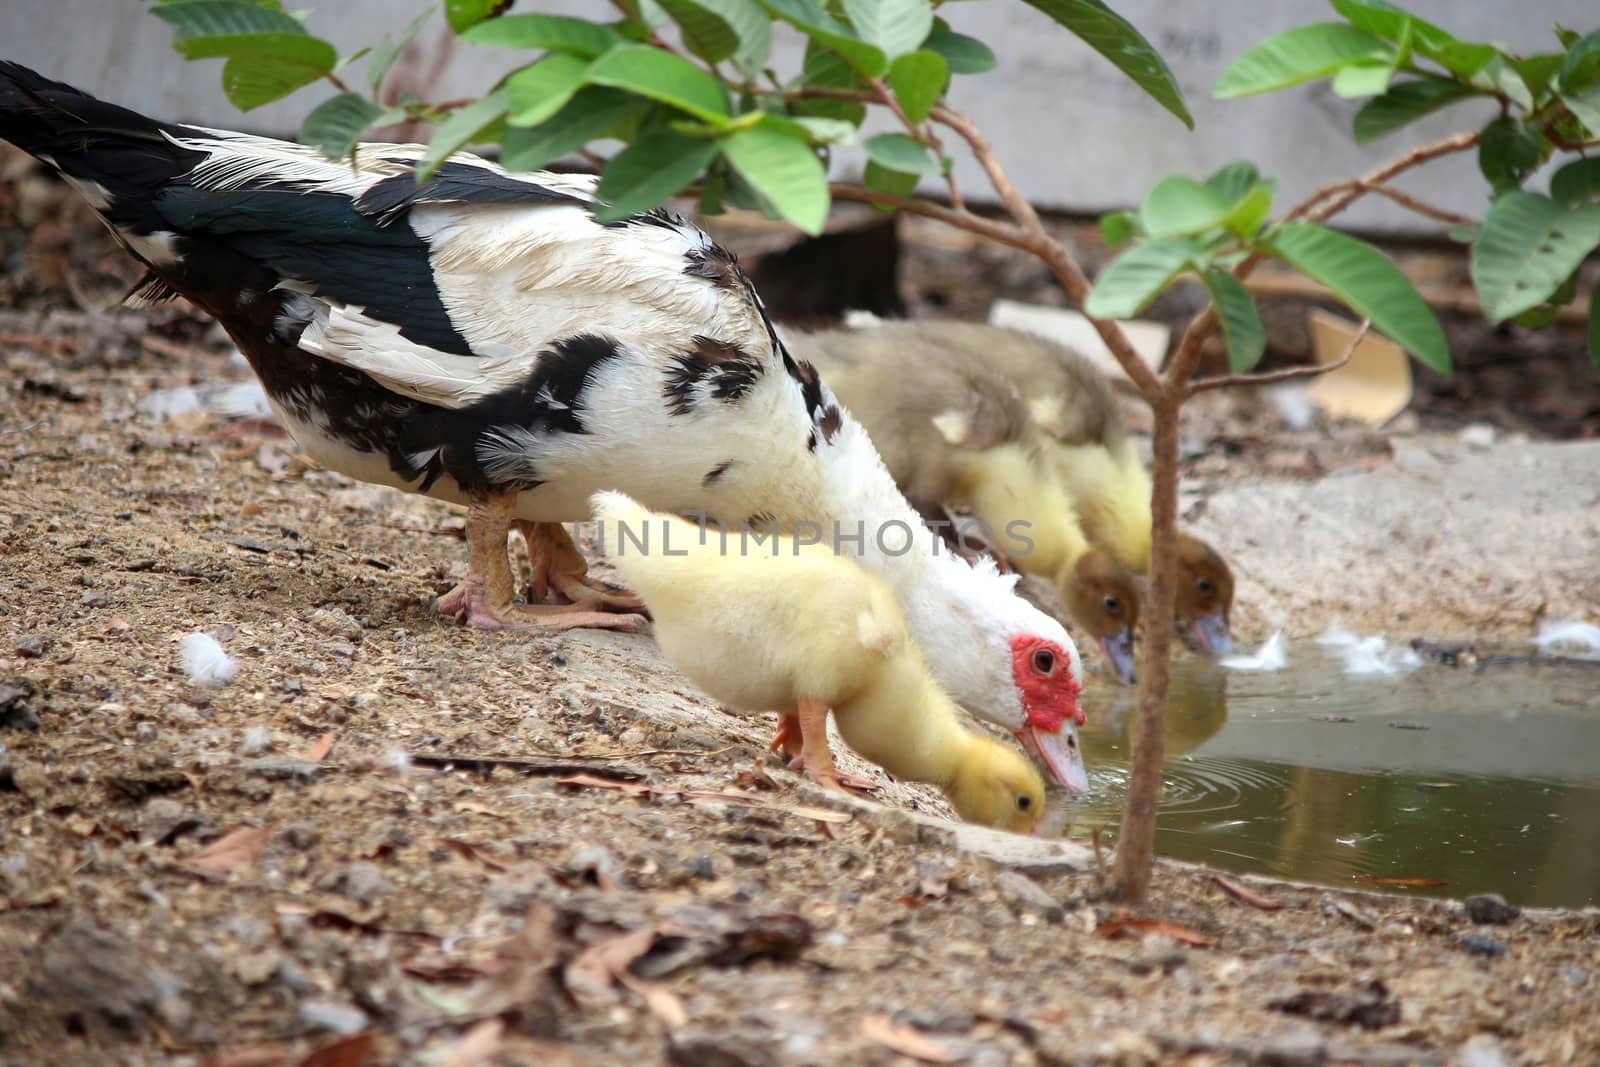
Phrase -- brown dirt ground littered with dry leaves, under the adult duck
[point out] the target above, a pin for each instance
(398, 841)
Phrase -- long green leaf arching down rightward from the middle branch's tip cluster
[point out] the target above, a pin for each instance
(1367, 282)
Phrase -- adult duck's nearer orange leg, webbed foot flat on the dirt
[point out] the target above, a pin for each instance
(484, 599)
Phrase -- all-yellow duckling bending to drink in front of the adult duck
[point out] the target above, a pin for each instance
(786, 625)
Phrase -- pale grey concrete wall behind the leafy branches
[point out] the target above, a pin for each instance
(1073, 132)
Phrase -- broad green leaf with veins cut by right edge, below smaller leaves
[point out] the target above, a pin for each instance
(1527, 250)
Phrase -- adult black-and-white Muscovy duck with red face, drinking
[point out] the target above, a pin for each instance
(484, 340)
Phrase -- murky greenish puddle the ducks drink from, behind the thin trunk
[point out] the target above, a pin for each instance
(1486, 780)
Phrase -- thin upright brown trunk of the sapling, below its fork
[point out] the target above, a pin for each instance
(1137, 842)
